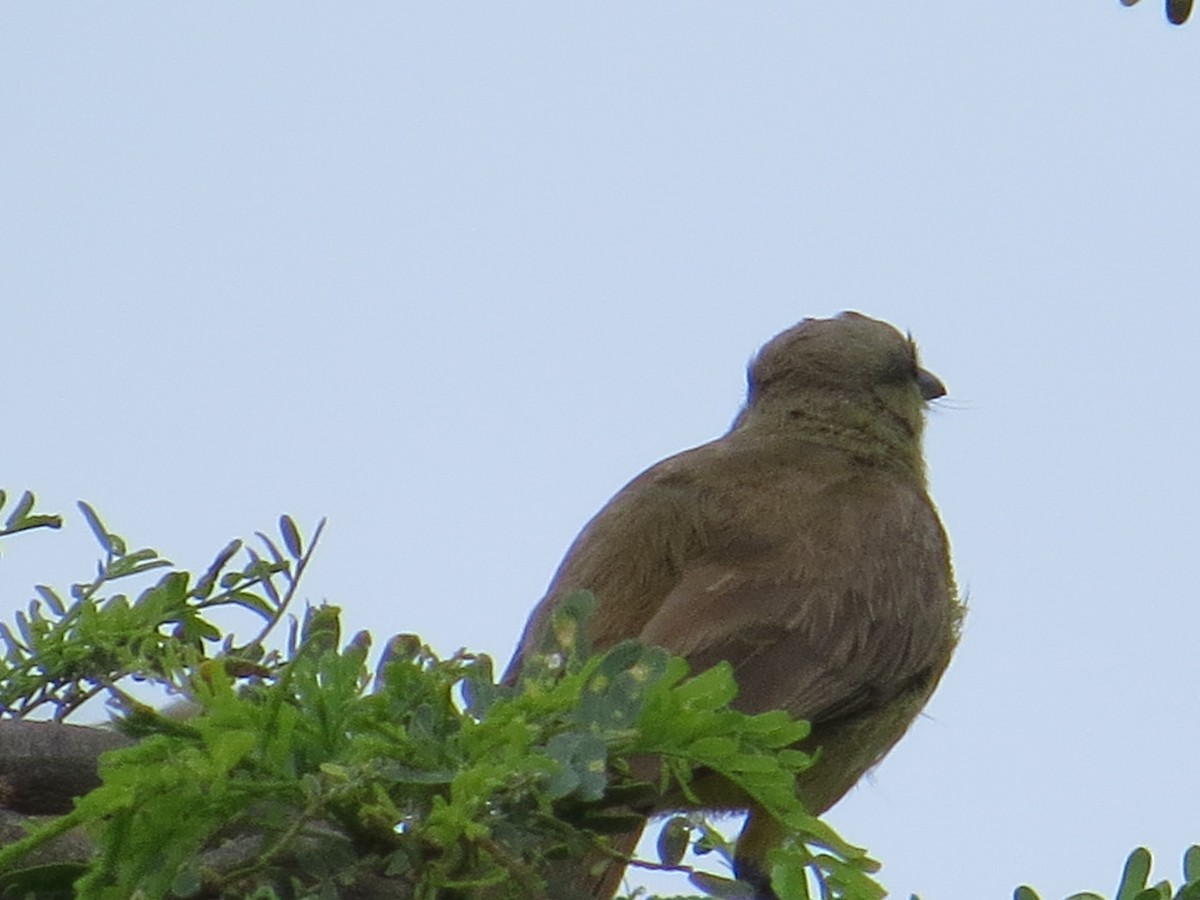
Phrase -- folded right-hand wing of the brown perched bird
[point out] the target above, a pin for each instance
(848, 611)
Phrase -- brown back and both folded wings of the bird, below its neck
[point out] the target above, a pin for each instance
(825, 586)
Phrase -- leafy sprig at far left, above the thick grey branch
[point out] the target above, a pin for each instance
(65, 650)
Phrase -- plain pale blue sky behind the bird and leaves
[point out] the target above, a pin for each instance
(451, 274)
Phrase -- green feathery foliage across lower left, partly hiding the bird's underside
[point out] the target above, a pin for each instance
(302, 773)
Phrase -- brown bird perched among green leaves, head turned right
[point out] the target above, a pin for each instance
(802, 548)
